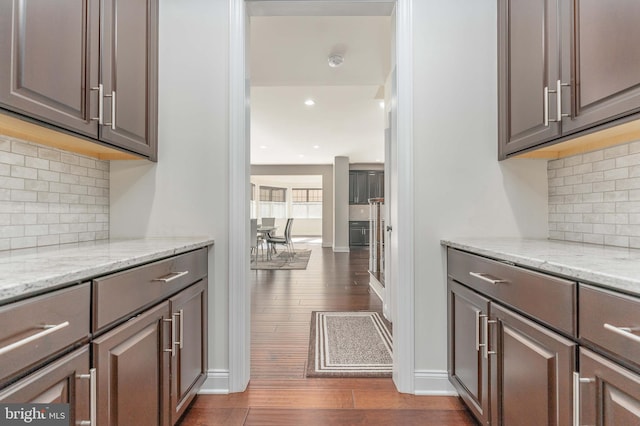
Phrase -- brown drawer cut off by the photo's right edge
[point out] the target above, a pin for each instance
(611, 321)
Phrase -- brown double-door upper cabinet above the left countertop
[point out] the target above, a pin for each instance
(86, 66)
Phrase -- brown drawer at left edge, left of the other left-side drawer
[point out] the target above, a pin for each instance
(35, 329)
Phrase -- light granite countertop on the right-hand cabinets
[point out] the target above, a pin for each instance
(605, 266)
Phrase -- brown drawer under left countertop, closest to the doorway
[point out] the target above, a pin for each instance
(119, 295)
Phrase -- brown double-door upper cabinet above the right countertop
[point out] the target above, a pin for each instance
(566, 68)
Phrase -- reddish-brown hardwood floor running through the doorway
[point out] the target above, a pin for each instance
(278, 393)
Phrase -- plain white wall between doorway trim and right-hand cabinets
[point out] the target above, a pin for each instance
(460, 187)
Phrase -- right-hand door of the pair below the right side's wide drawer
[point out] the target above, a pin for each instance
(531, 372)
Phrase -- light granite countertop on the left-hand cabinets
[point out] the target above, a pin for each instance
(29, 271)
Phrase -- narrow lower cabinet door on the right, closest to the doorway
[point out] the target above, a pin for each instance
(468, 364)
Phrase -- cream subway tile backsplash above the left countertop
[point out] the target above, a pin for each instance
(49, 196)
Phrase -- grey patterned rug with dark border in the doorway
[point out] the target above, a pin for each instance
(349, 344)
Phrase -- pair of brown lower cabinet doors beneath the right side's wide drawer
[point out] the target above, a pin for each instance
(524, 376)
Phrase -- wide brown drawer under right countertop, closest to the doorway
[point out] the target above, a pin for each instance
(549, 299)
